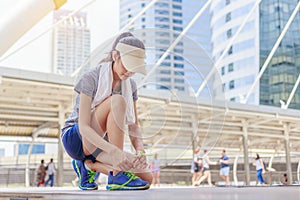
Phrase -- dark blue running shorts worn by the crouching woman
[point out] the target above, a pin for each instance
(72, 142)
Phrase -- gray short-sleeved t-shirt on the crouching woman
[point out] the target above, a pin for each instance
(88, 85)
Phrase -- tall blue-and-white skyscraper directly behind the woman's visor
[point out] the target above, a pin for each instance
(158, 28)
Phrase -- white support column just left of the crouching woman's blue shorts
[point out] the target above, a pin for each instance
(60, 152)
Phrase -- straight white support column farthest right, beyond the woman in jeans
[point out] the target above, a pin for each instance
(287, 152)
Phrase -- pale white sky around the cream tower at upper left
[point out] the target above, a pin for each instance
(103, 21)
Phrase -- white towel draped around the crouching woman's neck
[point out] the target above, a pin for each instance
(104, 90)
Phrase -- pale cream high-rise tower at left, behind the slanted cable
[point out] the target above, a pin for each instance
(71, 42)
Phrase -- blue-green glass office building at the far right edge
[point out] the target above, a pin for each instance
(281, 74)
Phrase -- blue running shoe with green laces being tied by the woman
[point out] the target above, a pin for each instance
(126, 181)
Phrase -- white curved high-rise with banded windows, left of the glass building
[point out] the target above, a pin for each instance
(237, 69)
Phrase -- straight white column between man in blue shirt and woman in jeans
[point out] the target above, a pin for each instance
(246, 152)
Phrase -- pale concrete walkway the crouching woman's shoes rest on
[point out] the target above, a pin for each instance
(166, 193)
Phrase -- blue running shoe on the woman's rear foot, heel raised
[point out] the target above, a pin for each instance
(86, 177)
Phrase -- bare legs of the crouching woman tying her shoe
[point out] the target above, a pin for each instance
(109, 117)
